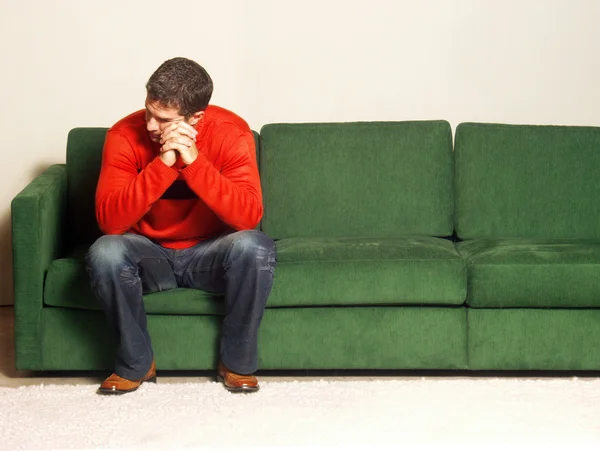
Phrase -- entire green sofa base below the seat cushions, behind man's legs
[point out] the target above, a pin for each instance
(343, 338)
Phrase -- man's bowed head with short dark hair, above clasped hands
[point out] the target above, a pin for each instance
(180, 89)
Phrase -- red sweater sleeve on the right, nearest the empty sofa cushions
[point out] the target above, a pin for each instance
(234, 192)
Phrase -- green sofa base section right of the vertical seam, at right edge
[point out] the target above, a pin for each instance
(534, 339)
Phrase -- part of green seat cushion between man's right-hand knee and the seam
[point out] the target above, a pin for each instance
(366, 271)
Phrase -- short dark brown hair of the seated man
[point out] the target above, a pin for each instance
(181, 83)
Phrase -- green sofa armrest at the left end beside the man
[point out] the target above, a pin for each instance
(38, 237)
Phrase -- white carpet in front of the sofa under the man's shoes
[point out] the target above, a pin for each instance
(422, 411)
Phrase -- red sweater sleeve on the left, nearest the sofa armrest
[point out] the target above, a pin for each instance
(124, 195)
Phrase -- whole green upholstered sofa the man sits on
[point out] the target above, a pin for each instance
(396, 250)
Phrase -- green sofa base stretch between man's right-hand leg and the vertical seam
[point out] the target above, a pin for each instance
(364, 337)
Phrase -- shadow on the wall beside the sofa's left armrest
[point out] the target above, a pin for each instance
(6, 262)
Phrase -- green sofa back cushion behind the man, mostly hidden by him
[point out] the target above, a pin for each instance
(84, 158)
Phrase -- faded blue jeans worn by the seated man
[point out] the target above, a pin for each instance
(240, 265)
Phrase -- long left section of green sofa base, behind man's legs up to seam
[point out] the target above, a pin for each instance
(304, 338)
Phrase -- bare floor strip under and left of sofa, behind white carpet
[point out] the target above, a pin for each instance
(10, 377)
